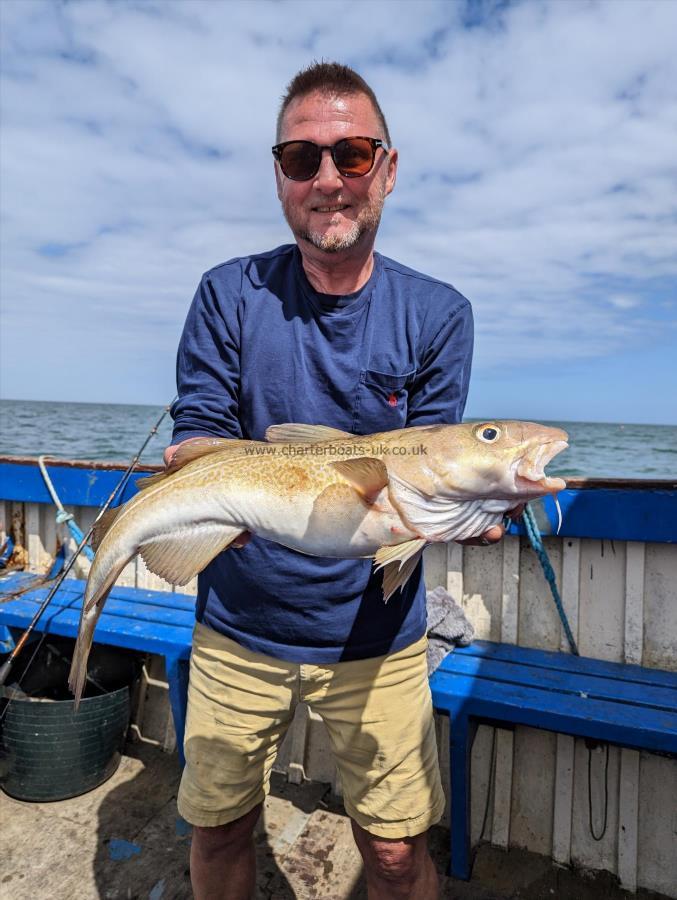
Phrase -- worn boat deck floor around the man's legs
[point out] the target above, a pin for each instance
(124, 841)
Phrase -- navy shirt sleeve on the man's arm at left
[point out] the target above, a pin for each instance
(208, 364)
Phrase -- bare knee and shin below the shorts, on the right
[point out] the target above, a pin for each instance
(397, 868)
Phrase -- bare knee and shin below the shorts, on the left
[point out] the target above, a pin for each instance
(222, 860)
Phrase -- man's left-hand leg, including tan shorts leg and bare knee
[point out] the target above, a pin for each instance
(240, 705)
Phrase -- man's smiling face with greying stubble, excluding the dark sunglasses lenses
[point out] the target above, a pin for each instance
(331, 212)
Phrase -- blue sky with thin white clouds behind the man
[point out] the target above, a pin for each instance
(538, 175)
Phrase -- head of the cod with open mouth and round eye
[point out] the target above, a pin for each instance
(499, 460)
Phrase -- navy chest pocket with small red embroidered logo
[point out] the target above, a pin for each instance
(381, 402)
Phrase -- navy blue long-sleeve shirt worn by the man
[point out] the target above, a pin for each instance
(260, 347)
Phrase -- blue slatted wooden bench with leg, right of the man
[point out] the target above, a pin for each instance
(503, 684)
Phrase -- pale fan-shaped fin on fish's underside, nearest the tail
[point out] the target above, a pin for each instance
(180, 556)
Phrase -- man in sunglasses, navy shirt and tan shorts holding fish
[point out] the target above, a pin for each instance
(323, 331)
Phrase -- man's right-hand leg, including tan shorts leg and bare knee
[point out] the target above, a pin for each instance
(379, 716)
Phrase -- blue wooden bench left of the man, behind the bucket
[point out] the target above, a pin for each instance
(148, 621)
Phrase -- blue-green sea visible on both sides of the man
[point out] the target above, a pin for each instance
(115, 432)
